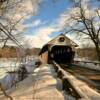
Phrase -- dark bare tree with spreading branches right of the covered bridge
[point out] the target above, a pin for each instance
(87, 25)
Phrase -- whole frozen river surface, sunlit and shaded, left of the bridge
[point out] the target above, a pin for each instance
(7, 79)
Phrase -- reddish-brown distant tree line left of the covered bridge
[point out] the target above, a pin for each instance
(13, 52)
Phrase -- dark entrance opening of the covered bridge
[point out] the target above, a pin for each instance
(62, 54)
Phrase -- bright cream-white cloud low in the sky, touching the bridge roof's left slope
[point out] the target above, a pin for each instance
(41, 37)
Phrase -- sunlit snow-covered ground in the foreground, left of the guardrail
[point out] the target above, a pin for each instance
(39, 85)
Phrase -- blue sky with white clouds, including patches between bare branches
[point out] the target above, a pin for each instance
(49, 21)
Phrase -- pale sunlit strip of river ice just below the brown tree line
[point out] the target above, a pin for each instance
(12, 64)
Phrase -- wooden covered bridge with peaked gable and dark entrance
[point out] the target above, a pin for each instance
(60, 49)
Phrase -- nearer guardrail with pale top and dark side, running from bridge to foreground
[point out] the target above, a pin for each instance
(67, 82)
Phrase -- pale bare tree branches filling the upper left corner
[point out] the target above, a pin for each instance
(8, 10)
